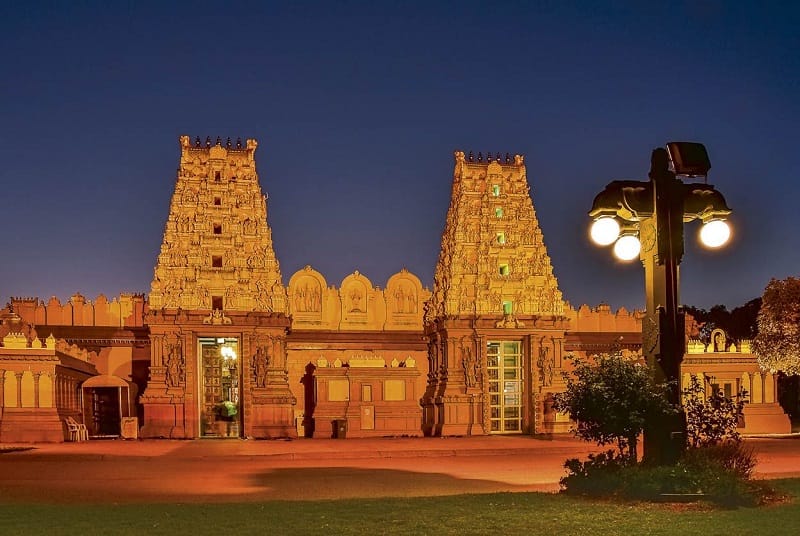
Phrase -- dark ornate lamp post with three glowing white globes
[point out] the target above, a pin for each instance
(645, 219)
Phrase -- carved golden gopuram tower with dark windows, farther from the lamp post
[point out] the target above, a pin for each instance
(217, 306)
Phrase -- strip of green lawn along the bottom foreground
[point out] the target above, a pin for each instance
(501, 513)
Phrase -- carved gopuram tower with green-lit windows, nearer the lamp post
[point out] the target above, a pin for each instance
(495, 323)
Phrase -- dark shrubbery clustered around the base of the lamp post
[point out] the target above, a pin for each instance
(611, 397)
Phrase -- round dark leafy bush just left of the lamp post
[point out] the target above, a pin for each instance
(610, 399)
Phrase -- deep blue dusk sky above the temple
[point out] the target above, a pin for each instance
(358, 107)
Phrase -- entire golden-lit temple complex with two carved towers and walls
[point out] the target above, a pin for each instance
(221, 347)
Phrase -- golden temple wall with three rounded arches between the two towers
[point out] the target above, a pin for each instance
(336, 329)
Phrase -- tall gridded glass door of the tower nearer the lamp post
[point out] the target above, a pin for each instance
(506, 381)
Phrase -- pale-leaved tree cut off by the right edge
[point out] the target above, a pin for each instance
(777, 344)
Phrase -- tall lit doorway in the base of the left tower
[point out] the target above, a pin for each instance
(220, 402)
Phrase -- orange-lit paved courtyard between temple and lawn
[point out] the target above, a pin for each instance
(117, 471)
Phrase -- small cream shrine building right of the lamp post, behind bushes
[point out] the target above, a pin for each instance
(723, 365)
